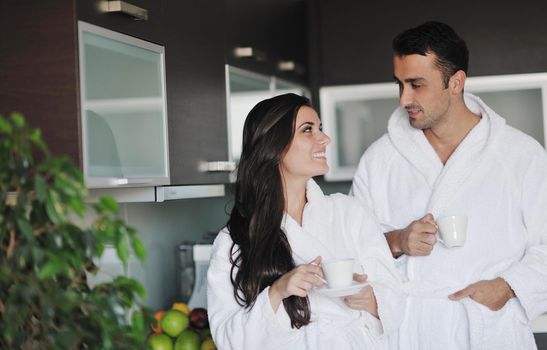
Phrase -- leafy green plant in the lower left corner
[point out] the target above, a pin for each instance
(45, 300)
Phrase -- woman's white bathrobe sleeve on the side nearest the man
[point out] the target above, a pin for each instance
(378, 263)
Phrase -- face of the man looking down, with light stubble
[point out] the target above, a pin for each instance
(421, 90)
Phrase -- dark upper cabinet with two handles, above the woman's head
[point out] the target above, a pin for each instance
(268, 37)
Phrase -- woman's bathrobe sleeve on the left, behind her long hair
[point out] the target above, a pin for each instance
(235, 327)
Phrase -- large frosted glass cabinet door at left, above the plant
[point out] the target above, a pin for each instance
(123, 109)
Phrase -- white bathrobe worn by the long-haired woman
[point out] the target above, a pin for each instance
(335, 226)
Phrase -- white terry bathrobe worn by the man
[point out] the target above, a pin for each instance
(498, 178)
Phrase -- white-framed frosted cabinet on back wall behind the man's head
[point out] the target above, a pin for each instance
(357, 115)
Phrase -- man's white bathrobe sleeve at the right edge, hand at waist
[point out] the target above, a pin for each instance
(528, 277)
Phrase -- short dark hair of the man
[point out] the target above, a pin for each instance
(438, 38)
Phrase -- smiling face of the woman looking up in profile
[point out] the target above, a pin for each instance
(306, 154)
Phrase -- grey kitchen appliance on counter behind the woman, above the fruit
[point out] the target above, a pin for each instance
(193, 265)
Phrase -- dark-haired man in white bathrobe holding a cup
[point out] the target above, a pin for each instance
(448, 153)
